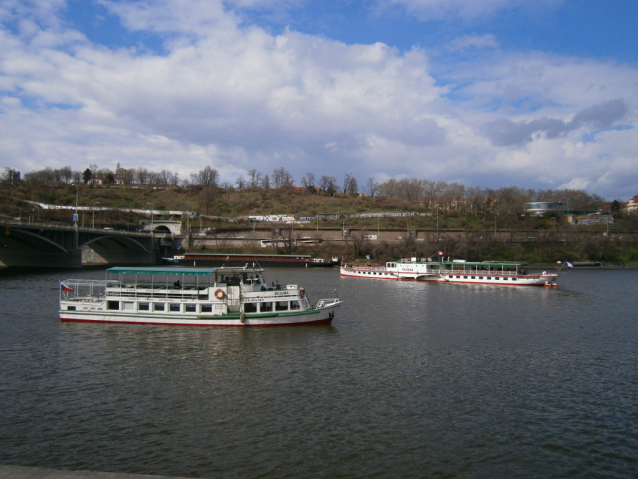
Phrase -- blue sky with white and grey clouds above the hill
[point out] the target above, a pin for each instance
(531, 93)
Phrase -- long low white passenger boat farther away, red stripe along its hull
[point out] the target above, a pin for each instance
(456, 271)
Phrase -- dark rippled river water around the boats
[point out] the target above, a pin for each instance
(410, 380)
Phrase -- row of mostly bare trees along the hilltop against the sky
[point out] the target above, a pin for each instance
(419, 193)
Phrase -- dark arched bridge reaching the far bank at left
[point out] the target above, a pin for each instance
(54, 246)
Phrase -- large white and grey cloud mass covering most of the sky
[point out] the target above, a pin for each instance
(237, 98)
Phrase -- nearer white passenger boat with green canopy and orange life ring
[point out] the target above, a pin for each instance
(191, 296)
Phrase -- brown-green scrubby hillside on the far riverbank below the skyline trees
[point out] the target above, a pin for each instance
(466, 220)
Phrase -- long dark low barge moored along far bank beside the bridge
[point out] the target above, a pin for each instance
(224, 259)
